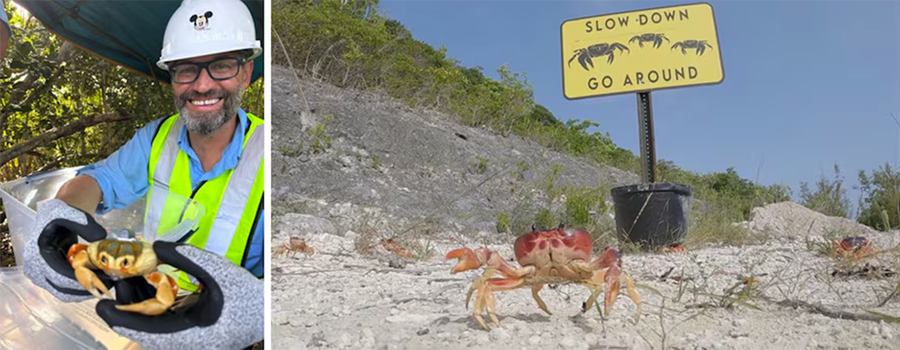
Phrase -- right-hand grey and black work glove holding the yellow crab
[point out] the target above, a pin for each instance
(229, 312)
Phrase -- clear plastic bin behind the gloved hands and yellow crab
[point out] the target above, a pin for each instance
(21, 198)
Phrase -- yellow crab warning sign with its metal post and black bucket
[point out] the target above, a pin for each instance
(639, 52)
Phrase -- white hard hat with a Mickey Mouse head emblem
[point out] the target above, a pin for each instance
(206, 27)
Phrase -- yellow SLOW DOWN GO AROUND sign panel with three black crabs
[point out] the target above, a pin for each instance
(643, 50)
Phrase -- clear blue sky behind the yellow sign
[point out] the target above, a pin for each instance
(807, 83)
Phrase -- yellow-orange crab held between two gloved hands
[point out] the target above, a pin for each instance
(123, 259)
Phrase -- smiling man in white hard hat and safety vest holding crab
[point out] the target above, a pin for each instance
(211, 152)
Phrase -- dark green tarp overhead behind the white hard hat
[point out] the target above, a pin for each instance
(126, 32)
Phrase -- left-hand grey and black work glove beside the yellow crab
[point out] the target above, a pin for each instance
(57, 226)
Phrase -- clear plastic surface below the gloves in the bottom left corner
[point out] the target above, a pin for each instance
(31, 318)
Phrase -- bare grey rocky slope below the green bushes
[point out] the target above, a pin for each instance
(358, 152)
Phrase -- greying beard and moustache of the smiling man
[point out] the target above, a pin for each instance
(206, 123)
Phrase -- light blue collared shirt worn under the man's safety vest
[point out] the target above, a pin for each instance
(123, 175)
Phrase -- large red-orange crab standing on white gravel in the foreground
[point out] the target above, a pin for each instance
(555, 256)
